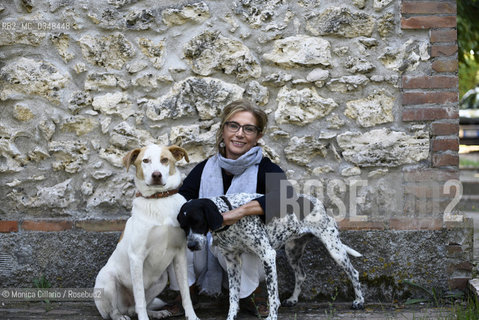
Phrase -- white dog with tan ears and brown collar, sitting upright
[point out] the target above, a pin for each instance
(135, 273)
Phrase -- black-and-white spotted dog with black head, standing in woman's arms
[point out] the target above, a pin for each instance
(250, 234)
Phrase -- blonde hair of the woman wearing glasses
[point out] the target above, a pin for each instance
(238, 106)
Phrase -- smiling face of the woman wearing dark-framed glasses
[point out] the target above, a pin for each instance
(238, 143)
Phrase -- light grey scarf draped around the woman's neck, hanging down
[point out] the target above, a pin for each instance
(245, 179)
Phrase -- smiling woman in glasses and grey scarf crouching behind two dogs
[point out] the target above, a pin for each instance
(239, 166)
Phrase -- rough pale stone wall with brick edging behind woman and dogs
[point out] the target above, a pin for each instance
(361, 97)
